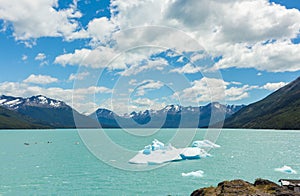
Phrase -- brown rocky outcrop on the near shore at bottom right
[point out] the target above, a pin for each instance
(240, 187)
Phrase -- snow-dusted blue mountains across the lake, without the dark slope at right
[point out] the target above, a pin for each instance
(42, 112)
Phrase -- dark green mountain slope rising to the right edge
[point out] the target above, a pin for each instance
(280, 110)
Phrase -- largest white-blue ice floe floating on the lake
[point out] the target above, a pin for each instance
(158, 153)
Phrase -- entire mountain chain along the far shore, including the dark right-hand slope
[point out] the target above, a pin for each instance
(279, 110)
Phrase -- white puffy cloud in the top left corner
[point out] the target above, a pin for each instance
(42, 18)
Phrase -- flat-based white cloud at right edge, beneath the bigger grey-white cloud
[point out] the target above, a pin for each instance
(279, 56)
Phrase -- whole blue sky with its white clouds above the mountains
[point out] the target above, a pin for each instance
(142, 54)
